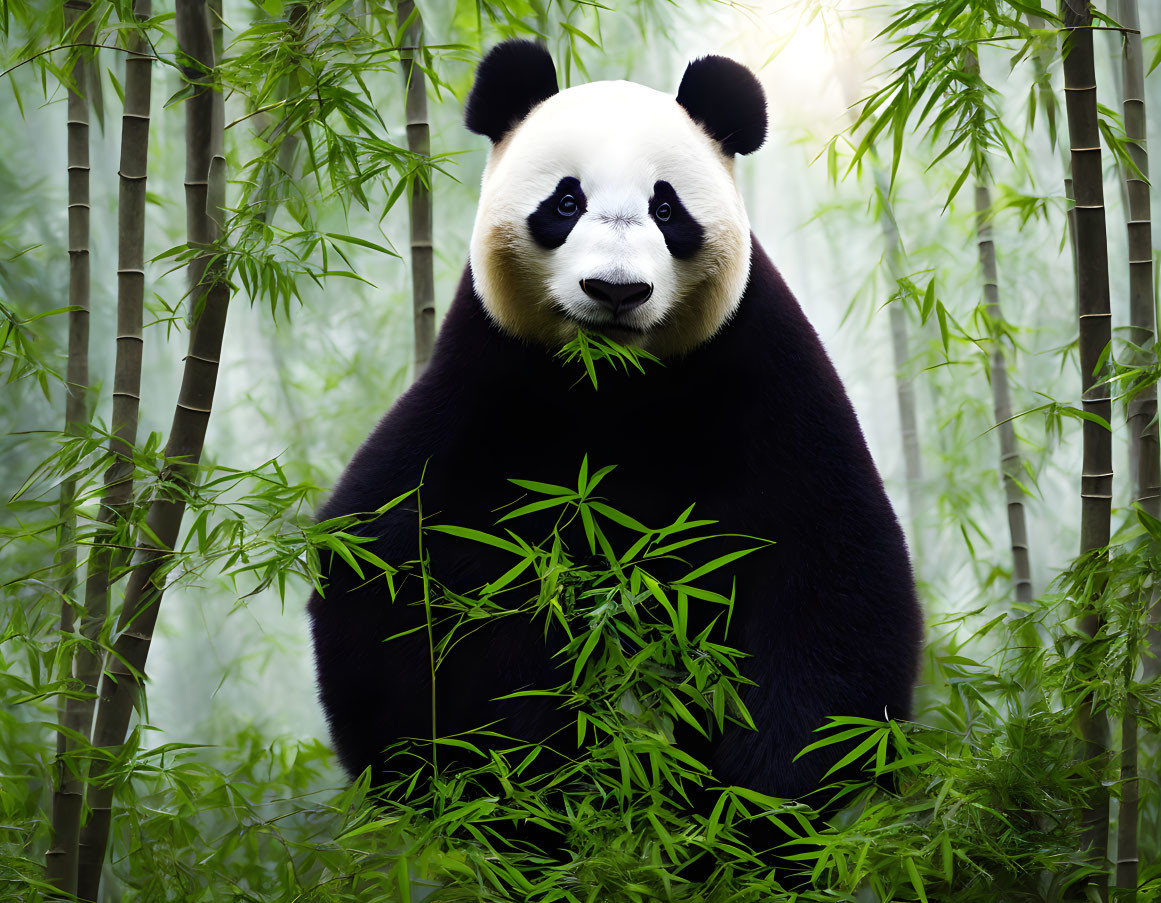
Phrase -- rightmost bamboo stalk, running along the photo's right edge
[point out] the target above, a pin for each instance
(1144, 443)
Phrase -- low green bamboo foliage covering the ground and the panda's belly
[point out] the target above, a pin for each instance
(977, 801)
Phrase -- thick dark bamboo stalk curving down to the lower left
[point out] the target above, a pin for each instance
(210, 299)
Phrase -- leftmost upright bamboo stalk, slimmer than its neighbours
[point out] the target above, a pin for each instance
(69, 789)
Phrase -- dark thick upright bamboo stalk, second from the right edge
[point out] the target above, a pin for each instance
(1095, 320)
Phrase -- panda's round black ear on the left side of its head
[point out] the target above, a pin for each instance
(513, 80)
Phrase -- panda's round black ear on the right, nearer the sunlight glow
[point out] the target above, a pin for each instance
(726, 99)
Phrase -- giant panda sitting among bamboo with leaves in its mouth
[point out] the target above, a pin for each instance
(614, 208)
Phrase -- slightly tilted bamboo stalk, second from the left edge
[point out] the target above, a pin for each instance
(107, 558)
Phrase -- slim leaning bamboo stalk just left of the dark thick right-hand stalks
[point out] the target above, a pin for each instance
(1001, 401)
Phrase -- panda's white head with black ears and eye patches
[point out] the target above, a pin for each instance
(612, 207)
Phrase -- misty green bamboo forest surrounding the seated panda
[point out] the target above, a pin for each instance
(965, 221)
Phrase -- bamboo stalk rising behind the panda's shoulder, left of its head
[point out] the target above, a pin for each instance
(423, 278)
